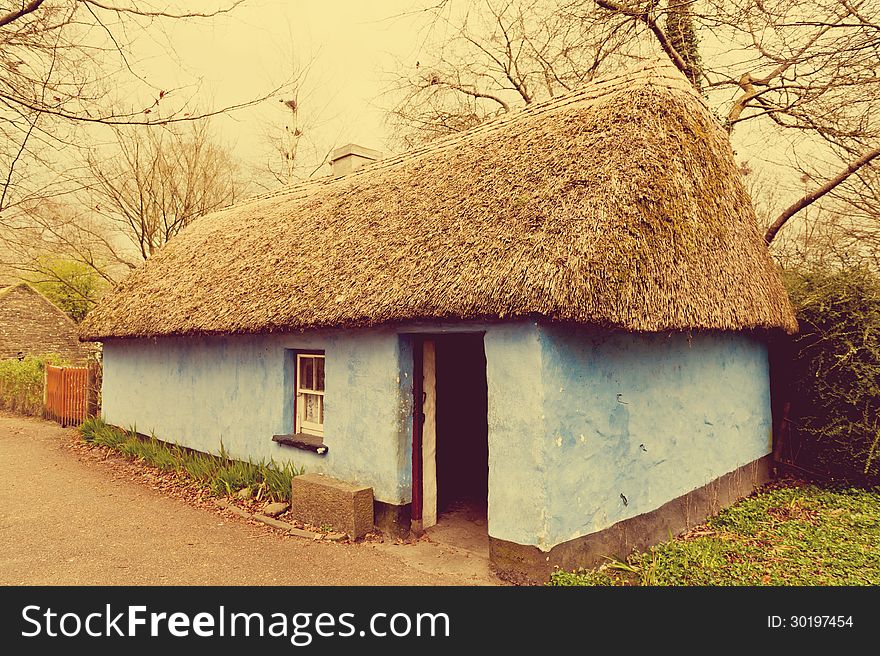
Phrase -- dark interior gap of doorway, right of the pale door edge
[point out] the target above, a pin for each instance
(462, 426)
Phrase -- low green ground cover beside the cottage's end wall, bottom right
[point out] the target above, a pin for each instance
(795, 535)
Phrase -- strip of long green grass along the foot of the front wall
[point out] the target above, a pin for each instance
(221, 474)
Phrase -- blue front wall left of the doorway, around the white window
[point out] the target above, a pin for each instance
(199, 391)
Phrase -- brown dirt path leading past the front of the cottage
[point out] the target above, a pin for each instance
(68, 517)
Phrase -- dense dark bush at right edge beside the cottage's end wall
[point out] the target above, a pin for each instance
(835, 372)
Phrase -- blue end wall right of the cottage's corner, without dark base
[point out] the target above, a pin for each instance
(647, 418)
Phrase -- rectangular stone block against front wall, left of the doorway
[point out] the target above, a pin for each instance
(323, 501)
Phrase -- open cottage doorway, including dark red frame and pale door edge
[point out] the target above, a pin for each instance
(451, 440)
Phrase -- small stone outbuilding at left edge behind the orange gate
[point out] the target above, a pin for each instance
(31, 324)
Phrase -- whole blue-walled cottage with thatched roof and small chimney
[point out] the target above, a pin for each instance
(561, 315)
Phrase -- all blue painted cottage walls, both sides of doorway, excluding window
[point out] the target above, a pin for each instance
(577, 417)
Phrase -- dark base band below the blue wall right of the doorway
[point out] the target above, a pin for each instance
(529, 565)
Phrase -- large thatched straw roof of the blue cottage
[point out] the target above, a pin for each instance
(619, 204)
